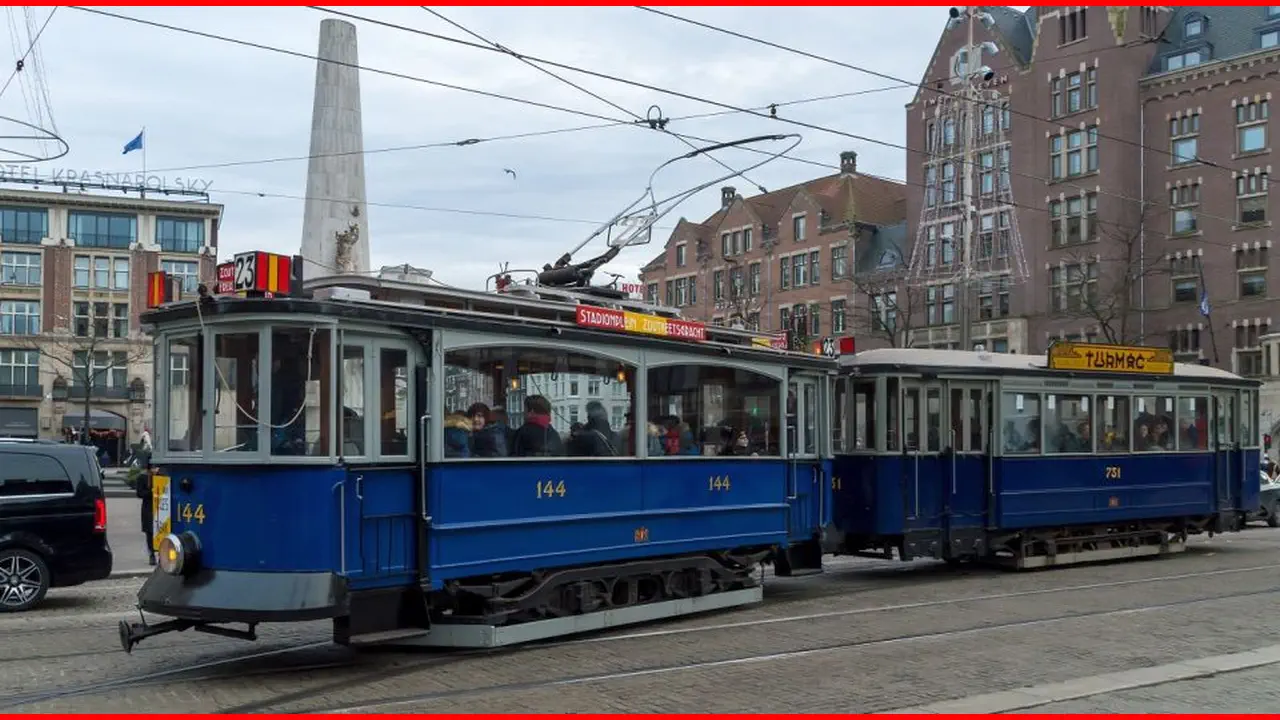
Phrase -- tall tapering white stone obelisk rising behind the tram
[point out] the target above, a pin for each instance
(336, 222)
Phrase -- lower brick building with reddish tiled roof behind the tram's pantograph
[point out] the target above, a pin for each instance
(784, 259)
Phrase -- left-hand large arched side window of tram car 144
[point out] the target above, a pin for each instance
(515, 397)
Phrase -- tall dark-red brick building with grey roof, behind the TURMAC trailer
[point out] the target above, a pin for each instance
(1140, 147)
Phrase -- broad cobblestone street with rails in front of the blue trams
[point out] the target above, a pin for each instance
(866, 637)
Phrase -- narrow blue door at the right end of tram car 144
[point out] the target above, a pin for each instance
(807, 408)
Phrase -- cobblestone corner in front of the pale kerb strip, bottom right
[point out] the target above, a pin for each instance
(1247, 691)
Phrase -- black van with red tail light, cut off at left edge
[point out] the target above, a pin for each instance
(53, 521)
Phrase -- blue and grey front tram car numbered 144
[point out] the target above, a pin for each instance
(422, 526)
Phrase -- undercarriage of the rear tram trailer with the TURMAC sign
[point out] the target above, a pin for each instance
(1043, 548)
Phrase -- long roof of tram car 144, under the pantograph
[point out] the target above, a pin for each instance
(531, 315)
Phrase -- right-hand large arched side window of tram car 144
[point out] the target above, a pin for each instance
(776, 400)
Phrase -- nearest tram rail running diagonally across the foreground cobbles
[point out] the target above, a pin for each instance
(664, 669)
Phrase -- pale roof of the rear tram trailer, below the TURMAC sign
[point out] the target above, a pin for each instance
(1003, 363)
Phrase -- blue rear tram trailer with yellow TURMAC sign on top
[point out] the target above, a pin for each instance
(1091, 453)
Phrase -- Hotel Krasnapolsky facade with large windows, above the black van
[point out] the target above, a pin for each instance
(75, 282)
